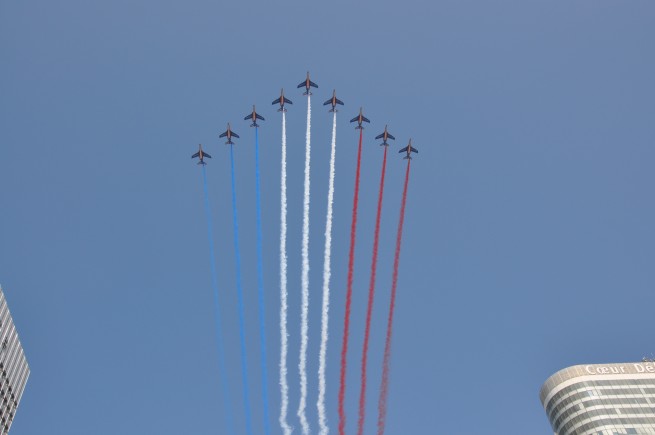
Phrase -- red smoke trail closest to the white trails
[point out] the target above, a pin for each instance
(349, 292)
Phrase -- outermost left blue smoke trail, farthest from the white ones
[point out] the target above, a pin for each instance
(219, 334)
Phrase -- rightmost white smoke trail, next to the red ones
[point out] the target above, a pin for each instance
(326, 287)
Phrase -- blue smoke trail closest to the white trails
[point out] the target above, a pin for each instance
(260, 288)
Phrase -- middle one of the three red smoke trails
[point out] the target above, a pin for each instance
(369, 308)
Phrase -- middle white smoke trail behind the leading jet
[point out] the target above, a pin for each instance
(304, 308)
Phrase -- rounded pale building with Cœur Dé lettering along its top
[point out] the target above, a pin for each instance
(601, 399)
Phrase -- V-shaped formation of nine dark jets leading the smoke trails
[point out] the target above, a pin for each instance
(282, 100)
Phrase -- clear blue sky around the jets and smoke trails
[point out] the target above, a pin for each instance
(529, 237)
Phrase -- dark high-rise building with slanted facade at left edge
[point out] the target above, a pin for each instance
(14, 370)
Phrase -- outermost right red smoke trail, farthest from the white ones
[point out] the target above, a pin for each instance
(384, 387)
